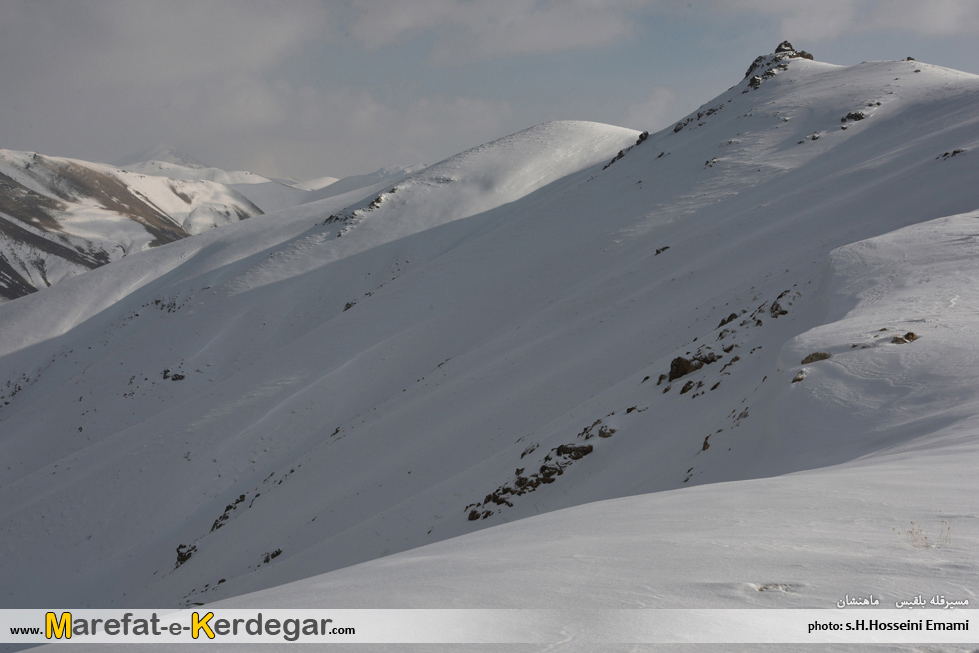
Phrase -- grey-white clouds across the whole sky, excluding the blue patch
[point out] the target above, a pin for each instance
(100, 79)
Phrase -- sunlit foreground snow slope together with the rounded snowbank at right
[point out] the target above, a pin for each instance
(801, 540)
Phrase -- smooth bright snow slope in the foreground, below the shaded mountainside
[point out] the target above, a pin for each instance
(804, 540)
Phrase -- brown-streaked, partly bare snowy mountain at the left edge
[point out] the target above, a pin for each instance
(60, 217)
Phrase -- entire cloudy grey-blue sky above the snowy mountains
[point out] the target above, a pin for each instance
(308, 88)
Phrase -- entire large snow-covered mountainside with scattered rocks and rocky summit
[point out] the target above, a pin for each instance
(485, 341)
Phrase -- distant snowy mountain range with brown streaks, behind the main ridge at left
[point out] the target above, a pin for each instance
(60, 217)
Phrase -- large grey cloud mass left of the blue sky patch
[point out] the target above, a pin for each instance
(102, 79)
